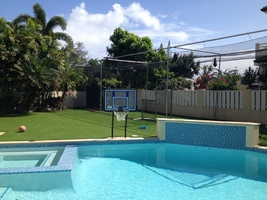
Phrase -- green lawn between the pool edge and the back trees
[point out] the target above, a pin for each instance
(72, 124)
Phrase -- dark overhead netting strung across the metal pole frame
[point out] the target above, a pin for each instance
(238, 51)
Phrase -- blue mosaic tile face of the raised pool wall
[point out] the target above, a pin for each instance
(206, 135)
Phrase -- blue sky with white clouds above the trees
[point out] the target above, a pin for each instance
(180, 22)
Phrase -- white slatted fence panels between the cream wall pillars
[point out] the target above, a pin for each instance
(221, 99)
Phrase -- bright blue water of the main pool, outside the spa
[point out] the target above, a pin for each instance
(160, 171)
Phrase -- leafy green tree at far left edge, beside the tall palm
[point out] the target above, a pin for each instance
(16, 44)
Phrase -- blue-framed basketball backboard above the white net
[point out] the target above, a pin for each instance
(115, 98)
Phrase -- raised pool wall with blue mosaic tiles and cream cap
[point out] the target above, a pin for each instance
(218, 134)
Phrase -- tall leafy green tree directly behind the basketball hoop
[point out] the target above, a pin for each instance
(128, 46)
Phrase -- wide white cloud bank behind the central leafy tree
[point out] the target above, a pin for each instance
(94, 29)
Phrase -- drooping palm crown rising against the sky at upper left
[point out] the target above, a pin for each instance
(46, 27)
